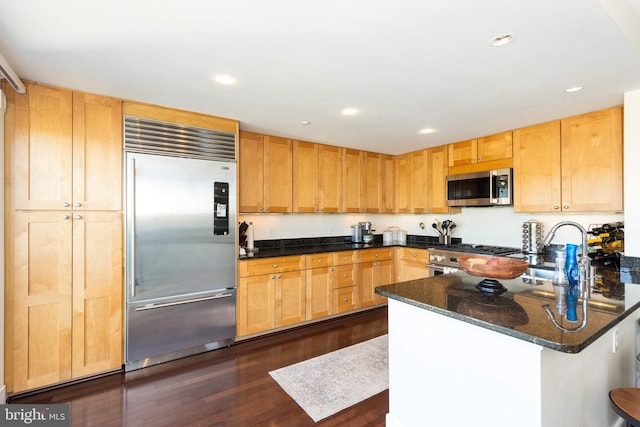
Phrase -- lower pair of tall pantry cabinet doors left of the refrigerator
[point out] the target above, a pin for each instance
(66, 317)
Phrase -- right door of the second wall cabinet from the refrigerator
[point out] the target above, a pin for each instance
(329, 178)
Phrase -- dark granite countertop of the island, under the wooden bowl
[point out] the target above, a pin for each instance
(518, 312)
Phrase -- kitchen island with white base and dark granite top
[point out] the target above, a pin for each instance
(457, 357)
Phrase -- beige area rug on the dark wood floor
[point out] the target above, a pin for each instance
(334, 381)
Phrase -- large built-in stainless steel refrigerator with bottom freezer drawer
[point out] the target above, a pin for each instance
(181, 245)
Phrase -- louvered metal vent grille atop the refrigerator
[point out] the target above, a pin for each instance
(170, 139)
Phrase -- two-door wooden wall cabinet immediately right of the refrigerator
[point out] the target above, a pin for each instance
(265, 173)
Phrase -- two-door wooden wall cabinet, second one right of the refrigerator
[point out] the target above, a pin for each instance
(317, 172)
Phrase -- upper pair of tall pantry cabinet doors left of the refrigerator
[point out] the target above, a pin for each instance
(67, 150)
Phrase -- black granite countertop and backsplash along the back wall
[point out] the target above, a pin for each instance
(313, 245)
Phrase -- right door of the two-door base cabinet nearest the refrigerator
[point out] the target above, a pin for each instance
(290, 298)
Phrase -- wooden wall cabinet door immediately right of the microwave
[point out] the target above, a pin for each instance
(536, 168)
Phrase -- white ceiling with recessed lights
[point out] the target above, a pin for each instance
(405, 64)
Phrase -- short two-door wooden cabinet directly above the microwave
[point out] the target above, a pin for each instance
(485, 149)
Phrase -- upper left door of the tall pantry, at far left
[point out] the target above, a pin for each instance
(43, 149)
